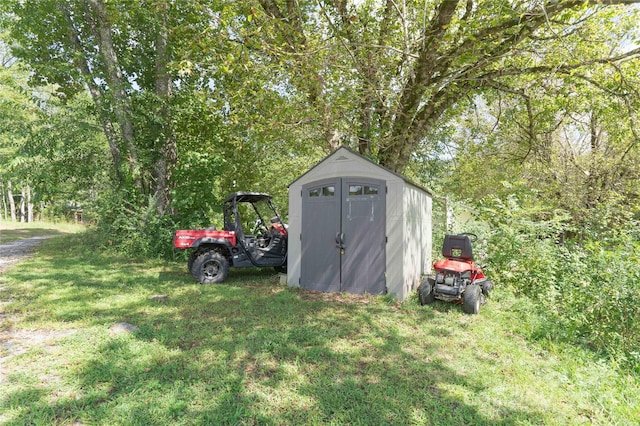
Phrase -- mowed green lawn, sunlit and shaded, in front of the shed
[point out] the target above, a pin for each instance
(251, 351)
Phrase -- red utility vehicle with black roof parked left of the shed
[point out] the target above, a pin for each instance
(253, 236)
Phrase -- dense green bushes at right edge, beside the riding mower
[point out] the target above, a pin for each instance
(586, 287)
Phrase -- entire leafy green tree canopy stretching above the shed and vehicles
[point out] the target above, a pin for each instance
(197, 97)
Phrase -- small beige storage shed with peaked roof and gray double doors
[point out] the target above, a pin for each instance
(357, 227)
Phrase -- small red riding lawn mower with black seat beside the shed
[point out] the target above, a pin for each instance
(457, 278)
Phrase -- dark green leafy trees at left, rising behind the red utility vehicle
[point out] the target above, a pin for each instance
(173, 89)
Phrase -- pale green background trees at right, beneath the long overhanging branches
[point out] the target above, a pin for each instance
(575, 146)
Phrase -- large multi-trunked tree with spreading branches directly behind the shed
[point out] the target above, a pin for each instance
(406, 66)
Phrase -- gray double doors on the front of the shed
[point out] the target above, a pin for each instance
(344, 236)
